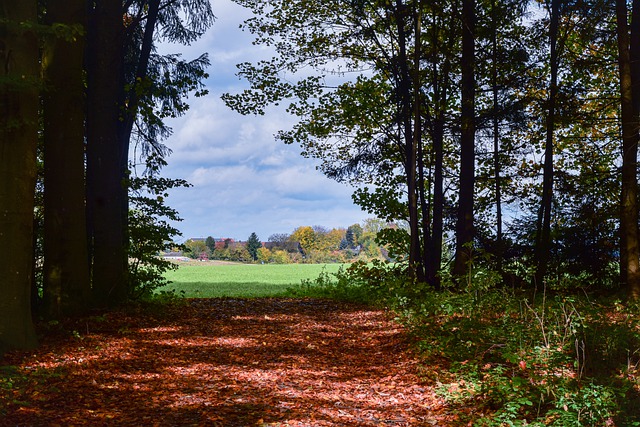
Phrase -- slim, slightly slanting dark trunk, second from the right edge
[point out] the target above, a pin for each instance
(543, 234)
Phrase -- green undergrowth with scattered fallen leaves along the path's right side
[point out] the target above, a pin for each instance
(513, 359)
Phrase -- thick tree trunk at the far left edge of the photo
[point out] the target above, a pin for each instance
(18, 139)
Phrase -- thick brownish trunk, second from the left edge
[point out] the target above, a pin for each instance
(66, 271)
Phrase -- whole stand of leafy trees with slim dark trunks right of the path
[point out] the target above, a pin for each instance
(495, 123)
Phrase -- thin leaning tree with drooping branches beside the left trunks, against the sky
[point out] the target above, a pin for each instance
(154, 85)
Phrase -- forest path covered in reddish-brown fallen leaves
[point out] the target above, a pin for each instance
(223, 362)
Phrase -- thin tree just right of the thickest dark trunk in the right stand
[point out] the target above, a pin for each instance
(508, 58)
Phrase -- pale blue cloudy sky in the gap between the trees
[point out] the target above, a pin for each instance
(243, 180)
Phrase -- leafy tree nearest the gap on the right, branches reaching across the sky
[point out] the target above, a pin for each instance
(365, 129)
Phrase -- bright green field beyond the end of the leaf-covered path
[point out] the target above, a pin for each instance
(209, 280)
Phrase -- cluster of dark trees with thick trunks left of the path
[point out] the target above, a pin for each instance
(82, 82)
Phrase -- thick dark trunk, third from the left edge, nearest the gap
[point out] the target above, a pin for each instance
(104, 153)
